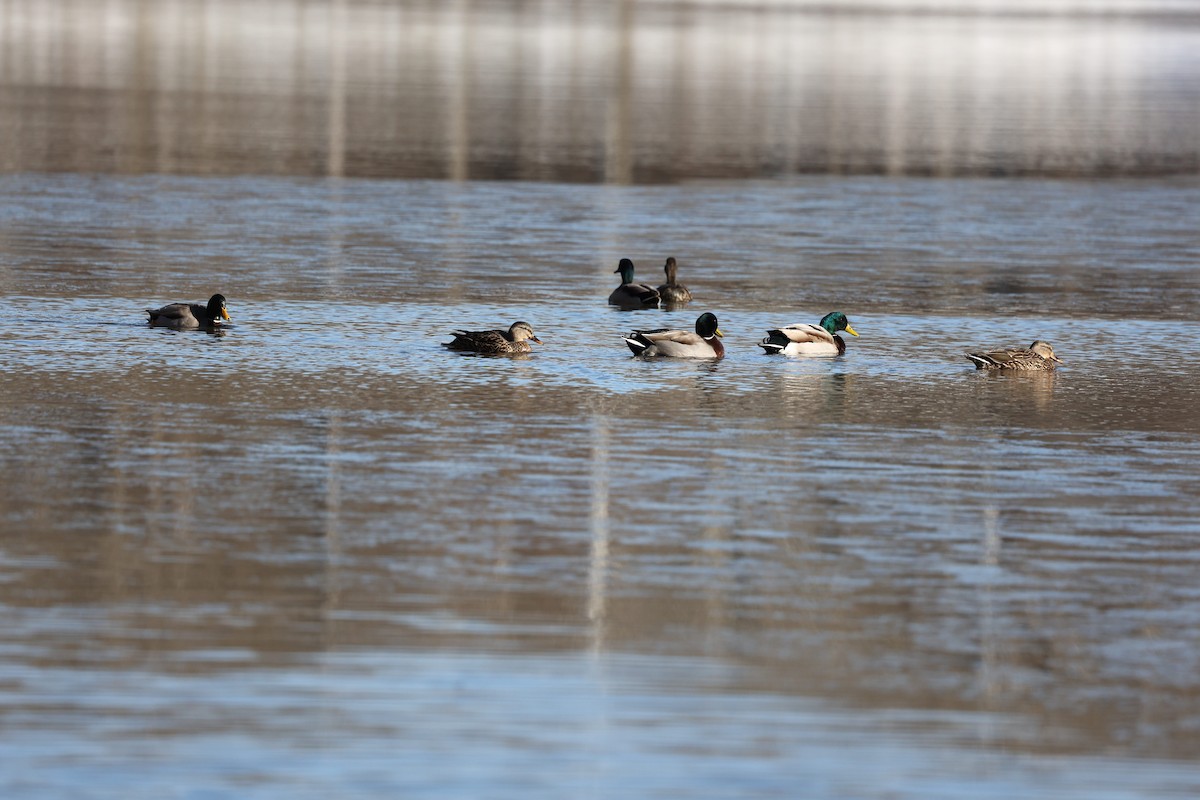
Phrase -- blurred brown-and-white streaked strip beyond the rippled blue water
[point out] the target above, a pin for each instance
(587, 91)
